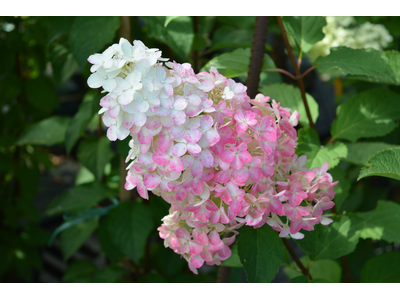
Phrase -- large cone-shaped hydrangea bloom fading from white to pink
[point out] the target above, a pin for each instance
(220, 159)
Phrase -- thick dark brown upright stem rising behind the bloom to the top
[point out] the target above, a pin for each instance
(257, 55)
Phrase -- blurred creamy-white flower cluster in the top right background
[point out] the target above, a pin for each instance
(338, 33)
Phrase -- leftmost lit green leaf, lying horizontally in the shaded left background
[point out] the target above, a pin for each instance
(47, 132)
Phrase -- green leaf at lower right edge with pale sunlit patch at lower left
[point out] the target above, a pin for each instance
(381, 223)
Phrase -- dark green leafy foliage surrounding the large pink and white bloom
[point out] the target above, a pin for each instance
(49, 122)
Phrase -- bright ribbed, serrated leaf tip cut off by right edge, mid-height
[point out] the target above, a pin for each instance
(385, 163)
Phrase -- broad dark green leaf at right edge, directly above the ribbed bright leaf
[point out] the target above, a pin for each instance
(367, 114)
